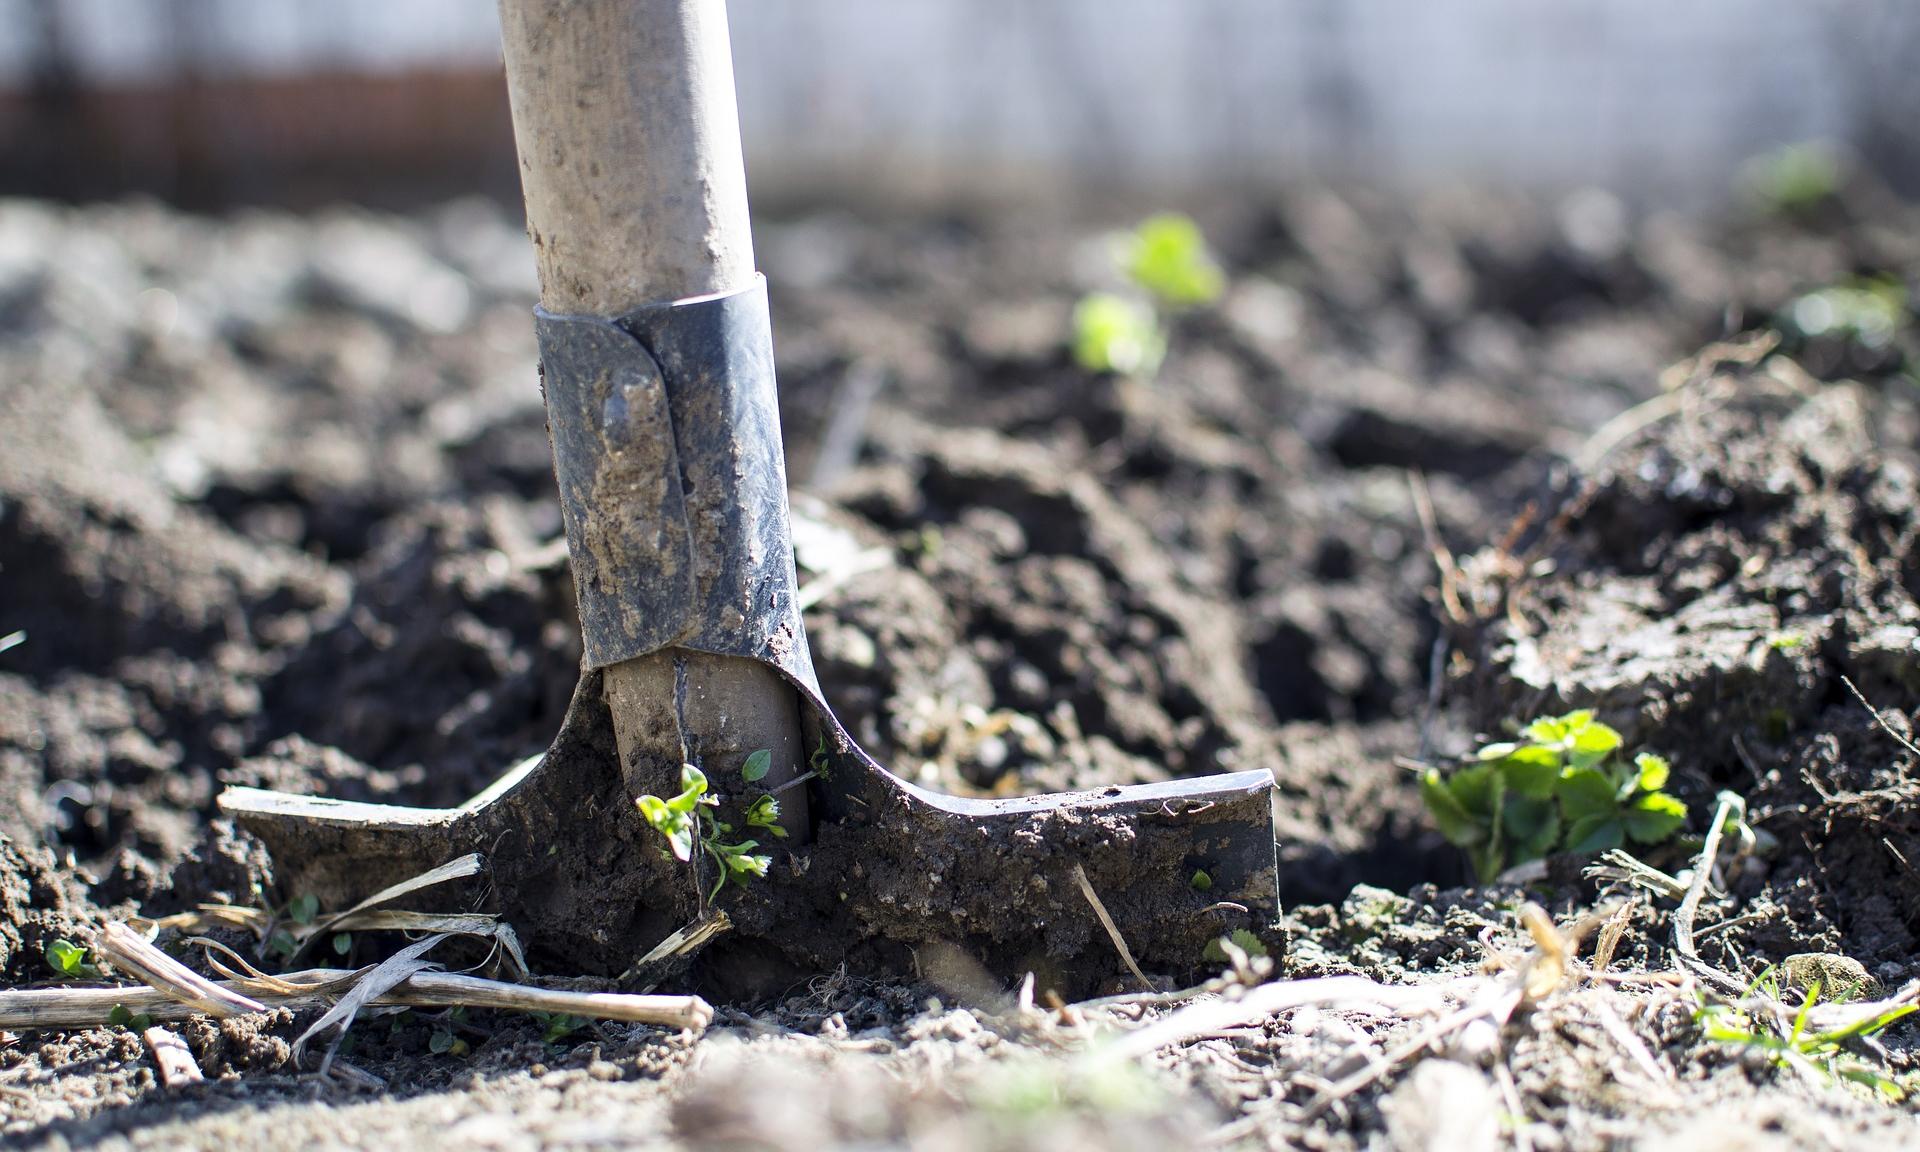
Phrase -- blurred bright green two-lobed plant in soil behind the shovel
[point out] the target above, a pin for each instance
(1168, 270)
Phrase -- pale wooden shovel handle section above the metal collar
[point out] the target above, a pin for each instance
(631, 162)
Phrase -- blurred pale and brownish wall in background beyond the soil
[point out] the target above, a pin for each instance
(220, 101)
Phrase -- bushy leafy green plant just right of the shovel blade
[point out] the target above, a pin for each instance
(1566, 788)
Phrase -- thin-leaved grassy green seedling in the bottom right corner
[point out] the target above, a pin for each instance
(1823, 1057)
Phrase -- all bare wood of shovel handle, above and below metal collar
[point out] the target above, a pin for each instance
(636, 193)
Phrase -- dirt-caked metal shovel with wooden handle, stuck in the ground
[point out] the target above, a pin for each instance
(660, 385)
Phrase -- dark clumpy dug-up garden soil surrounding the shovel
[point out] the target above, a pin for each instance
(277, 510)
